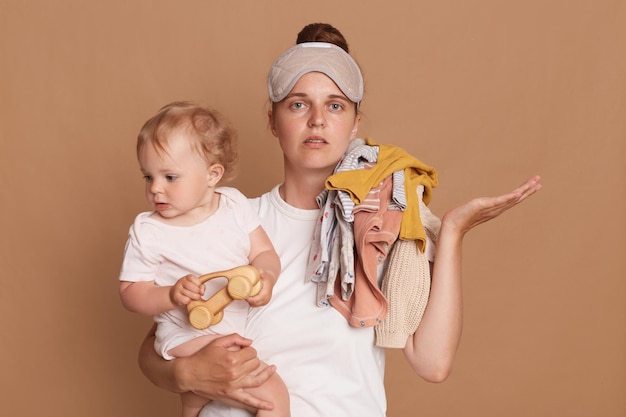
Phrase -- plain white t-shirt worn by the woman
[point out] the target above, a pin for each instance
(330, 368)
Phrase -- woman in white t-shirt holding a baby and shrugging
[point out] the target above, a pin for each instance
(330, 368)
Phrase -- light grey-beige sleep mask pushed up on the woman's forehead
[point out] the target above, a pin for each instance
(321, 57)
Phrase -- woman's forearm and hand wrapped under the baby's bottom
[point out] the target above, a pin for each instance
(220, 371)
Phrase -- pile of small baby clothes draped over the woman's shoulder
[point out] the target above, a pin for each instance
(375, 223)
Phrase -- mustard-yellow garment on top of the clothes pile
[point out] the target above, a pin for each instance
(357, 183)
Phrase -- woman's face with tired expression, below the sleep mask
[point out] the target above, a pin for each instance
(314, 124)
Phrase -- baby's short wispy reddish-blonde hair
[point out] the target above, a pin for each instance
(207, 130)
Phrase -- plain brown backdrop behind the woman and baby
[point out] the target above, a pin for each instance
(488, 91)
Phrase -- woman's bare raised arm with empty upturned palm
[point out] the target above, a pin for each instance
(432, 348)
